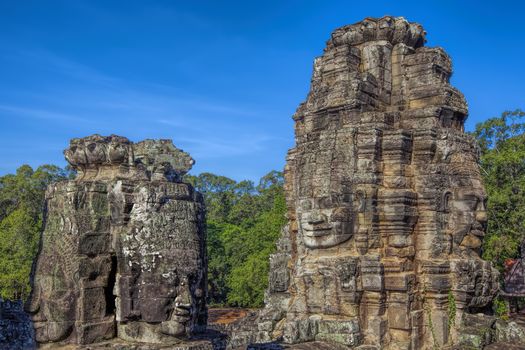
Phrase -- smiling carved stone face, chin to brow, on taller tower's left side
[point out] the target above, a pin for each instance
(326, 221)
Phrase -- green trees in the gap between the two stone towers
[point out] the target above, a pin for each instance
(243, 223)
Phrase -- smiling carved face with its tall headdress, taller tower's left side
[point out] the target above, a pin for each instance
(323, 185)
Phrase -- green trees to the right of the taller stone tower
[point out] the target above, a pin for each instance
(502, 144)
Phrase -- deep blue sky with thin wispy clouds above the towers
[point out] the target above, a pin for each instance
(220, 78)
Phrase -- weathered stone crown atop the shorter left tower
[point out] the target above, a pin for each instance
(104, 157)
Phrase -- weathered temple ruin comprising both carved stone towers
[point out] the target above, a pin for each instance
(386, 214)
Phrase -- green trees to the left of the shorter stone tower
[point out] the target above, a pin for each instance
(21, 206)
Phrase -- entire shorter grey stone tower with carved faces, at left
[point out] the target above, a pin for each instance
(123, 250)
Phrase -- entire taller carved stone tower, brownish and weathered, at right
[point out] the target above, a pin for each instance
(385, 202)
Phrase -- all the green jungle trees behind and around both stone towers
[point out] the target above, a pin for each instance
(244, 219)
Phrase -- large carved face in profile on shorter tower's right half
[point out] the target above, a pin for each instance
(166, 279)
